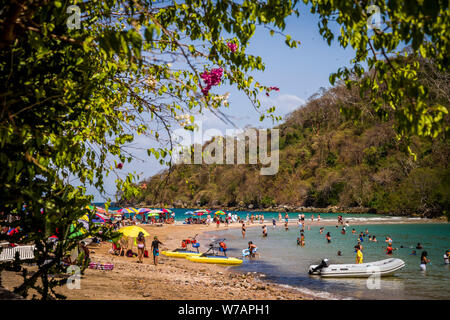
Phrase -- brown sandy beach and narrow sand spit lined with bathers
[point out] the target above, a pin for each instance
(181, 279)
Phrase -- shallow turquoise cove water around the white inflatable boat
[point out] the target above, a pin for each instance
(284, 262)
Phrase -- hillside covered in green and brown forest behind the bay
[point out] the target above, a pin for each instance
(328, 159)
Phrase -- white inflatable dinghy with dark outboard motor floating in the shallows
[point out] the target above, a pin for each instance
(363, 270)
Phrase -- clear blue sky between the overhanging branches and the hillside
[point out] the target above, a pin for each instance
(298, 72)
